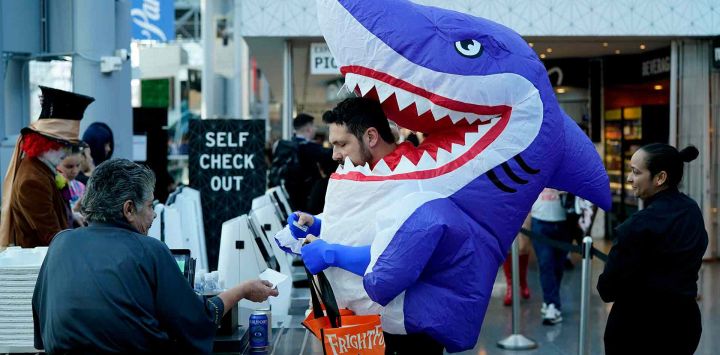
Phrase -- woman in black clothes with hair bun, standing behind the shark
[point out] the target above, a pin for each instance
(652, 269)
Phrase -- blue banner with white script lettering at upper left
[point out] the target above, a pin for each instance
(153, 20)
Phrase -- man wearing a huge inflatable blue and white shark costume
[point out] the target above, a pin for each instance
(424, 236)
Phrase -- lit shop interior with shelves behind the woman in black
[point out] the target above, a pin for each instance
(636, 113)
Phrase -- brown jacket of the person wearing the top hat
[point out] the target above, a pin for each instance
(37, 209)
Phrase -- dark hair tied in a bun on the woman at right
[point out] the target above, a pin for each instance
(663, 157)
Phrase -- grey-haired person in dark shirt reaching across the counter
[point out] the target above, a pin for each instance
(108, 288)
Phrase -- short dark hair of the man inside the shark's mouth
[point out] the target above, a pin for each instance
(358, 114)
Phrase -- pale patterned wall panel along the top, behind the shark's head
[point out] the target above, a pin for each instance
(297, 18)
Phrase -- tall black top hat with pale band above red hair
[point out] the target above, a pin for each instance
(60, 116)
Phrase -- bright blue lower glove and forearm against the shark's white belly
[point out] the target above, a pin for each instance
(320, 255)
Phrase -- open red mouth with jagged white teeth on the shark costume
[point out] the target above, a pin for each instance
(458, 131)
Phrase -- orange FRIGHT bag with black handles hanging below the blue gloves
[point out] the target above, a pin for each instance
(340, 330)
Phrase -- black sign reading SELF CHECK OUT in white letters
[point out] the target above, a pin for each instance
(227, 165)
